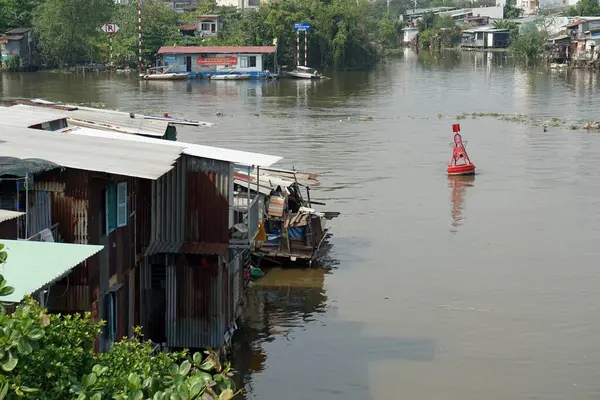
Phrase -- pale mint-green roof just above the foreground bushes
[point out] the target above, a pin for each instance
(32, 266)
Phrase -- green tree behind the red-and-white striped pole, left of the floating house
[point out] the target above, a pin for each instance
(160, 28)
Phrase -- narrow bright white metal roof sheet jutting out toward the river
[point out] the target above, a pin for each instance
(195, 150)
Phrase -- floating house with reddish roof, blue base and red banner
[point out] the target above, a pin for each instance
(199, 61)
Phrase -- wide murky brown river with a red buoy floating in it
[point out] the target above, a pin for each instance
(435, 288)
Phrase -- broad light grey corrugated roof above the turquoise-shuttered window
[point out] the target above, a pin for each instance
(135, 159)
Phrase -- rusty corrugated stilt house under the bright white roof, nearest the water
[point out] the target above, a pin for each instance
(196, 245)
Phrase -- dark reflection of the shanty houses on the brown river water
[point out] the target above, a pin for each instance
(281, 342)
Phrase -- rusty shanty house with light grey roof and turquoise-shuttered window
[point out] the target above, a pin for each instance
(92, 198)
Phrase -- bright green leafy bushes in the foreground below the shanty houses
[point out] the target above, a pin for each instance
(47, 357)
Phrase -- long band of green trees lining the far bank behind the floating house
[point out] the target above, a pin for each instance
(344, 33)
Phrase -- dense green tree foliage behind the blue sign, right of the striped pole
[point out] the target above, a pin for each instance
(344, 33)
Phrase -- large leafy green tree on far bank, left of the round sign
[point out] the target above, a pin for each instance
(69, 29)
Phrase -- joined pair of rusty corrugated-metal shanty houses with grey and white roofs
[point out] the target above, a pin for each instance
(163, 212)
